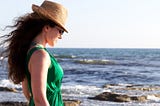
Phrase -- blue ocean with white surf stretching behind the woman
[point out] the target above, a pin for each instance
(88, 70)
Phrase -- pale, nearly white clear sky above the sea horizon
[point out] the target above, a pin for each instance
(99, 23)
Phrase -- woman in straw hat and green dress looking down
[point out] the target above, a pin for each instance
(29, 61)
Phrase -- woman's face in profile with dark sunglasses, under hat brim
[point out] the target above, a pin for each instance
(53, 34)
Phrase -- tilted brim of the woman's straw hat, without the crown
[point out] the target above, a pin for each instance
(44, 13)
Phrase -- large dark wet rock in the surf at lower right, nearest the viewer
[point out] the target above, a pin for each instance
(109, 96)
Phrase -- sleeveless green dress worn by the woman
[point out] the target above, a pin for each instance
(54, 80)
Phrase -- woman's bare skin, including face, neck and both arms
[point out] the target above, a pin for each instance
(39, 64)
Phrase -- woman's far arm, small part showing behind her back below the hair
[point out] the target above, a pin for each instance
(25, 89)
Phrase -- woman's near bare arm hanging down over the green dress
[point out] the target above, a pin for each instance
(38, 67)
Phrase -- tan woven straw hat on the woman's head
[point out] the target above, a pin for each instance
(54, 11)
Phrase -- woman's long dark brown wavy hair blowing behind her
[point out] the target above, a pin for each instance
(18, 41)
